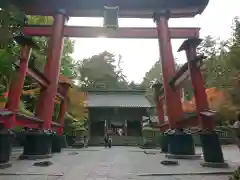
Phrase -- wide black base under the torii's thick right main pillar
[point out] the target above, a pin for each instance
(181, 143)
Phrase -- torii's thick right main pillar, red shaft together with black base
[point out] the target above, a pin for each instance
(180, 143)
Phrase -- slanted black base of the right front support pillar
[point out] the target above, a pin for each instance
(212, 150)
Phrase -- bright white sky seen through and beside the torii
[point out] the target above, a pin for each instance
(139, 55)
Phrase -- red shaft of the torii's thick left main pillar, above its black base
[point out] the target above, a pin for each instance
(47, 96)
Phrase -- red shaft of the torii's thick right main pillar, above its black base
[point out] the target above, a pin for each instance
(173, 102)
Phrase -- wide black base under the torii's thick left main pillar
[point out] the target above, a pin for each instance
(38, 145)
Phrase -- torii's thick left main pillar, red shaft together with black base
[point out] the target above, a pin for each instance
(41, 146)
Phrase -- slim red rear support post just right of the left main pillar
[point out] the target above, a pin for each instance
(63, 108)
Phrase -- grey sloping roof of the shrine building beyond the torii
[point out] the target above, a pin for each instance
(121, 99)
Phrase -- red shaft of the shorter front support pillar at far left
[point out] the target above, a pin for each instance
(17, 84)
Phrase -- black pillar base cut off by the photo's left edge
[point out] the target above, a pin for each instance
(5, 147)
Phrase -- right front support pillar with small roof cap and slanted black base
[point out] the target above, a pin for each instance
(212, 151)
